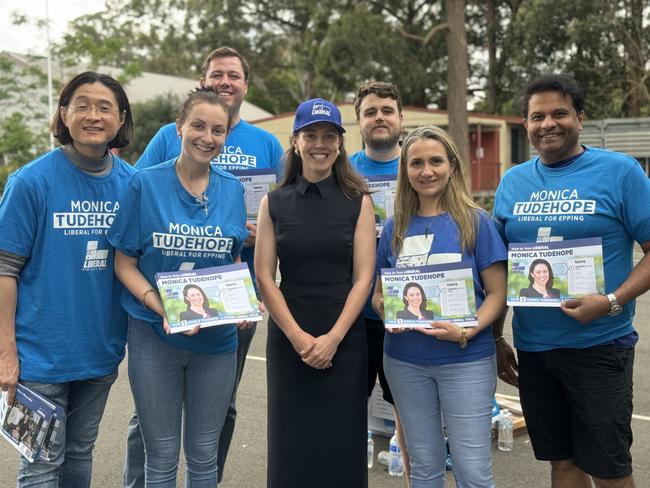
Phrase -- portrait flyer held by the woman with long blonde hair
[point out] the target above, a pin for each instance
(414, 297)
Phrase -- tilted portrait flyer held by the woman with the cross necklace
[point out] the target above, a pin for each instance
(208, 297)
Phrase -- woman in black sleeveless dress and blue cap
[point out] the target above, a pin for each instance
(319, 224)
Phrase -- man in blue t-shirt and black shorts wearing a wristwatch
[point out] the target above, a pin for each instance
(575, 362)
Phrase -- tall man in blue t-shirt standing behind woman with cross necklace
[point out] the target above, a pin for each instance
(247, 148)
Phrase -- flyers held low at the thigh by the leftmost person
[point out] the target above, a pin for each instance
(25, 423)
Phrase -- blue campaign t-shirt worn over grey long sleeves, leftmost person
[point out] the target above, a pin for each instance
(69, 322)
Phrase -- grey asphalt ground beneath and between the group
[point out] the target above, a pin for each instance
(246, 466)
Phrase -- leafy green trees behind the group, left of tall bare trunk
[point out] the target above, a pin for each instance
(298, 48)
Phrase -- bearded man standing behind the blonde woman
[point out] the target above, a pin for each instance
(379, 114)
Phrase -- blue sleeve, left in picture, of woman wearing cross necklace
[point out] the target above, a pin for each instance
(125, 233)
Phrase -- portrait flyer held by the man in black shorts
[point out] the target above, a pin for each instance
(544, 274)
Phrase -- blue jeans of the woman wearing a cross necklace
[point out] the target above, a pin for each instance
(178, 390)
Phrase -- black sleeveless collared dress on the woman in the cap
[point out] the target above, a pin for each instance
(317, 419)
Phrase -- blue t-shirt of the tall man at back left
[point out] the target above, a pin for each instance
(247, 147)
